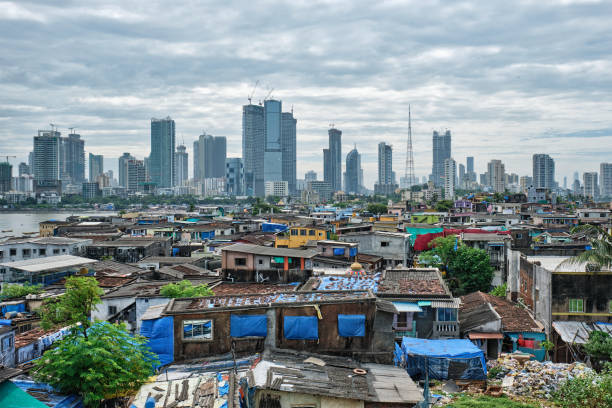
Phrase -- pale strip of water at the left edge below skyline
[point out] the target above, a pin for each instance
(16, 223)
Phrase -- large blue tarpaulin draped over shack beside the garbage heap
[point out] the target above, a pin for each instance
(453, 358)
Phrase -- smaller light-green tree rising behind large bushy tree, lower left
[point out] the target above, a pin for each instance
(74, 306)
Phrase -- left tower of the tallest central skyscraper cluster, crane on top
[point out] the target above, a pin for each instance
(253, 148)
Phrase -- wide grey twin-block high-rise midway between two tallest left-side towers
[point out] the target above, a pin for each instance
(208, 152)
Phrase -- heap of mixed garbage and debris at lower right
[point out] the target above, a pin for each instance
(533, 378)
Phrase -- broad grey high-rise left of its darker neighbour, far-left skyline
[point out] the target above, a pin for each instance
(47, 156)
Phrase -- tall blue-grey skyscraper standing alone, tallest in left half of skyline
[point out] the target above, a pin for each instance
(162, 163)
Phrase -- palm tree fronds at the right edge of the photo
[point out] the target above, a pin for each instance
(600, 252)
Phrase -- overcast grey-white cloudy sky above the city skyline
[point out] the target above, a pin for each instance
(508, 78)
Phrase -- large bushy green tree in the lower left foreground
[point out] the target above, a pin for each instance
(108, 363)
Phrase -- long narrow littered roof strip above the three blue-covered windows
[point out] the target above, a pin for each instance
(214, 303)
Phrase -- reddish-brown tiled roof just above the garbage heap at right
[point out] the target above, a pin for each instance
(514, 318)
